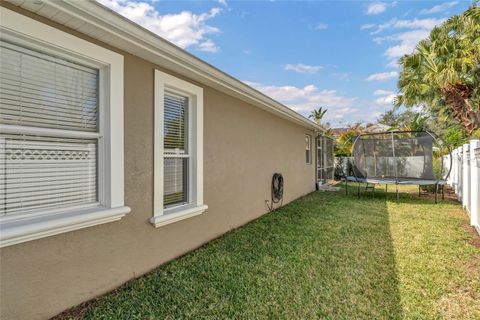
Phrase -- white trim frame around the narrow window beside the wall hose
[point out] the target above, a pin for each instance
(162, 216)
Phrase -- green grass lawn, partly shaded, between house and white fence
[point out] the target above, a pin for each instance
(326, 255)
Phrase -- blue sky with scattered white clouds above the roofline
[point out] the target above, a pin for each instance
(339, 55)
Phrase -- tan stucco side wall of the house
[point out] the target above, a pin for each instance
(243, 147)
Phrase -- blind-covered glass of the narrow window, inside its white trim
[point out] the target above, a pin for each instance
(176, 154)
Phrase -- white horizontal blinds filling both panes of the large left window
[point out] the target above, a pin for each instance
(38, 90)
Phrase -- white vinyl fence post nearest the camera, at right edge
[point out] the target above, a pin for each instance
(475, 184)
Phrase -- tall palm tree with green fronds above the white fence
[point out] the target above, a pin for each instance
(443, 73)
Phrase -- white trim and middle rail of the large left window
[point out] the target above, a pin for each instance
(19, 228)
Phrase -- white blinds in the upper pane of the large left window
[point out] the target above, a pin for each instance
(43, 91)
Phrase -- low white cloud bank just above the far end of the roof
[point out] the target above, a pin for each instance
(304, 100)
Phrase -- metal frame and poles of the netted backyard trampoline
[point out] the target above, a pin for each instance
(438, 182)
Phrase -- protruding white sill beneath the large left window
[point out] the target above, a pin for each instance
(22, 230)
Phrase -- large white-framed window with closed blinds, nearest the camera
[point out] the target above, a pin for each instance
(61, 140)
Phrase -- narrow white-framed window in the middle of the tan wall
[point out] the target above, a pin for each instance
(178, 170)
